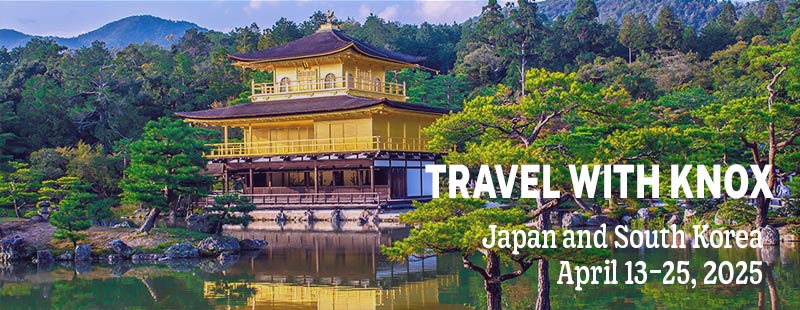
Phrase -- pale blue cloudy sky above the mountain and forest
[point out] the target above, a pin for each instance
(71, 18)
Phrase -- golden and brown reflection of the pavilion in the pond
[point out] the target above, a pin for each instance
(341, 270)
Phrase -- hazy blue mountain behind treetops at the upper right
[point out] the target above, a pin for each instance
(692, 12)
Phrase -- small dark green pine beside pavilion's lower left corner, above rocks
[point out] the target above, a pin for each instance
(230, 209)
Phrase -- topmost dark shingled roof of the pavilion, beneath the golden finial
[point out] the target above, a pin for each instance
(321, 43)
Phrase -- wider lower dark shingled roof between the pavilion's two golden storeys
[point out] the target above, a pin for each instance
(303, 106)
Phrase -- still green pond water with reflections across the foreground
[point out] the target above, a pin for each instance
(325, 267)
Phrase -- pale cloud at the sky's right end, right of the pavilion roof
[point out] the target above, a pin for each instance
(447, 11)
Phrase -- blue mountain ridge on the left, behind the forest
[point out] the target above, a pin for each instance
(117, 34)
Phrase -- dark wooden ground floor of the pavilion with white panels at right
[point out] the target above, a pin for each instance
(345, 180)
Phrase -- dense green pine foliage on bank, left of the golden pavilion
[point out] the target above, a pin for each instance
(166, 164)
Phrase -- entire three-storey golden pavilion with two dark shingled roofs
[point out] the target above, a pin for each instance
(329, 131)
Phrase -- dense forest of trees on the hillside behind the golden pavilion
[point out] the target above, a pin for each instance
(98, 99)
